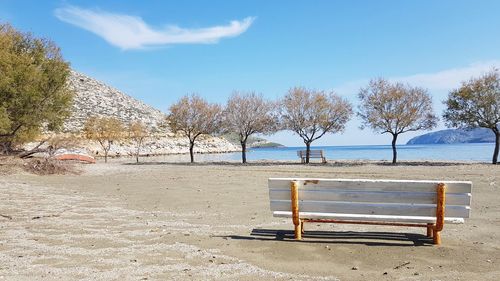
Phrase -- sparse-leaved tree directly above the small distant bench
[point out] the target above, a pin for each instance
(311, 114)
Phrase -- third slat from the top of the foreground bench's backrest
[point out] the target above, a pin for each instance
(370, 208)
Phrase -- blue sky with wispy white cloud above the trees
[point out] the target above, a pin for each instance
(158, 51)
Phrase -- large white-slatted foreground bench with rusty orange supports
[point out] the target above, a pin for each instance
(380, 202)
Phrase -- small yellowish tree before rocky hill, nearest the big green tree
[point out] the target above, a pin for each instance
(105, 131)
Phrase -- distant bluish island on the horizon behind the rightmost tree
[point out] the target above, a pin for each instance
(450, 136)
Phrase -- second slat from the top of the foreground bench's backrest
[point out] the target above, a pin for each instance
(371, 196)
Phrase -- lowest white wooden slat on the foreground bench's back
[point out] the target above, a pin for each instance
(414, 219)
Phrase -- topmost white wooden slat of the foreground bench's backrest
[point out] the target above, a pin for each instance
(377, 185)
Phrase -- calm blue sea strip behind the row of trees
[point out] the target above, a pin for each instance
(454, 152)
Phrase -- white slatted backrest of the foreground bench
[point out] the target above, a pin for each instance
(371, 197)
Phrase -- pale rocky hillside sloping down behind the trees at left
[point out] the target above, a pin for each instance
(94, 98)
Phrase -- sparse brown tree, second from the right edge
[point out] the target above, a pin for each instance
(395, 109)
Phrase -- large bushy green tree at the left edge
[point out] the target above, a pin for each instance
(34, 95)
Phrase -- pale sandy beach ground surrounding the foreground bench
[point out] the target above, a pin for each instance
(161, 221)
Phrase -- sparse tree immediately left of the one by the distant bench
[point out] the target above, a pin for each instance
(247, 114)
